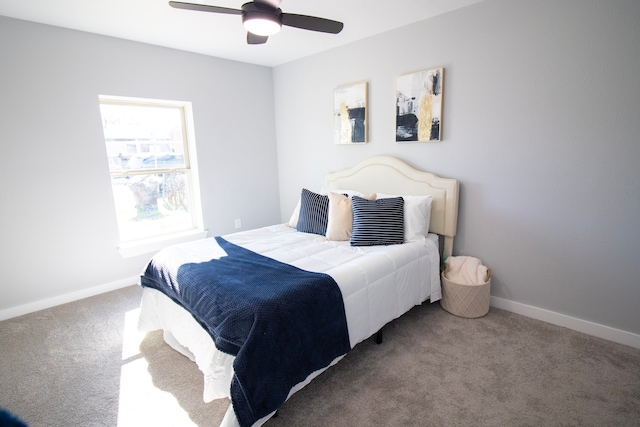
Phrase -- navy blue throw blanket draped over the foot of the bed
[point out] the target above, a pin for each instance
(280, 322)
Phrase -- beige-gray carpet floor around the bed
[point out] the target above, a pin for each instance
(85, 364)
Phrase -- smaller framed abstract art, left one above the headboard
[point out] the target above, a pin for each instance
(350, 114)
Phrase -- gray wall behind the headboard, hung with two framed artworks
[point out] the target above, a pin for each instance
(541, 126)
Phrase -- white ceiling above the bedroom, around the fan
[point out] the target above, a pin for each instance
(155, 22)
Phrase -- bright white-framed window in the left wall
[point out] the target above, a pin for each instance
(150, 149)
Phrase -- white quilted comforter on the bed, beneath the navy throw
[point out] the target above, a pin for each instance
(378, 284)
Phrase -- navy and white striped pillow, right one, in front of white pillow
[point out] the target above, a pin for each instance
(377, 222)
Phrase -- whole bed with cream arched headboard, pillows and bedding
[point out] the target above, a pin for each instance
(353, 284)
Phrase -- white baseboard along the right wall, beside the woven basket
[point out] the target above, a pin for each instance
(584, 326)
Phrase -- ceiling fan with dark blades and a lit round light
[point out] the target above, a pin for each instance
(263, 18)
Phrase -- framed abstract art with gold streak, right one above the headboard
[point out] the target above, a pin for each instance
(419, 106)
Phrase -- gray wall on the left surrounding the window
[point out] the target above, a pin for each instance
(58, 227)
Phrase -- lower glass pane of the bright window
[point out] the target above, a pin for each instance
(149, 205)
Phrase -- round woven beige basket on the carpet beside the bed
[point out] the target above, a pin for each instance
(468, 301)
